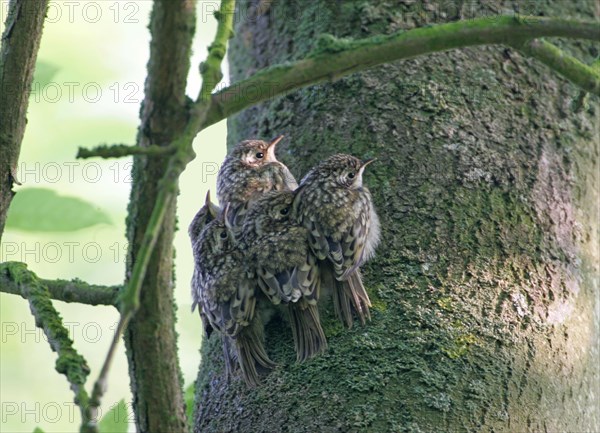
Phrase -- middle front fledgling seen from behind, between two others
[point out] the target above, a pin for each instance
(277, 250)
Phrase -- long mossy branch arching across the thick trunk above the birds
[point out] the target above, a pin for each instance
(334, 58)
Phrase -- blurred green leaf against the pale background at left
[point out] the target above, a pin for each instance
(42, 210)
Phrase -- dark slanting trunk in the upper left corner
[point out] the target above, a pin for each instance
(20, 44)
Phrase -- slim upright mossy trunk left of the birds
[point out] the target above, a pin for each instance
(151, 339)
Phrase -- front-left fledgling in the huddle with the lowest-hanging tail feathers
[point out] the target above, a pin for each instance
(228, 298)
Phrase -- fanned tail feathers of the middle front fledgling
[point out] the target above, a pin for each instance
(308, 334)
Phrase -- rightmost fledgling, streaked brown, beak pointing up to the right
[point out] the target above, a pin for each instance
(338, 212)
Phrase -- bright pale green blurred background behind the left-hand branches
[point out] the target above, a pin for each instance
(102, 53)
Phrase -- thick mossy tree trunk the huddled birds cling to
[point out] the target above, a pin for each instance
(485, 286)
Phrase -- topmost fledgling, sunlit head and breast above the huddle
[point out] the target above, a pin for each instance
(248, 171)
